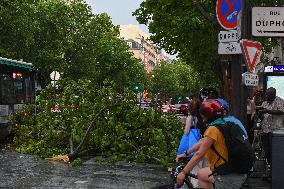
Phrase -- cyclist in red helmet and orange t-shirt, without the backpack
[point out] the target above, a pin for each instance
(211, 110)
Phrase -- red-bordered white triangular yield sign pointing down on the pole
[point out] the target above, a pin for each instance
(251, 51)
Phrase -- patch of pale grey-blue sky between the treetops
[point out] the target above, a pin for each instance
(119, 10)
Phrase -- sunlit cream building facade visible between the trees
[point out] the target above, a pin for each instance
(141, 47)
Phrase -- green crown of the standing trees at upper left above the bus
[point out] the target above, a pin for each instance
(68, 38)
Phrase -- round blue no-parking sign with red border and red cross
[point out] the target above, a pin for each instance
(227, 13)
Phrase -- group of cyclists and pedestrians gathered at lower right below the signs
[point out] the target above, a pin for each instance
(210, 155)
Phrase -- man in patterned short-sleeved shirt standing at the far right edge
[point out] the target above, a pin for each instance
(272, 111)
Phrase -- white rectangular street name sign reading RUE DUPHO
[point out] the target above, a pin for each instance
(268, 21)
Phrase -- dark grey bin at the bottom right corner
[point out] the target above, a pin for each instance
(277, 159)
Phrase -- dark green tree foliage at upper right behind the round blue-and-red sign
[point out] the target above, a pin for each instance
(190, 28)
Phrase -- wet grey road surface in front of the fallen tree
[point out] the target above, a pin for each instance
(24, 171)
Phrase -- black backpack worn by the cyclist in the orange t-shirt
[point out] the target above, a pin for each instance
(240, 153)
